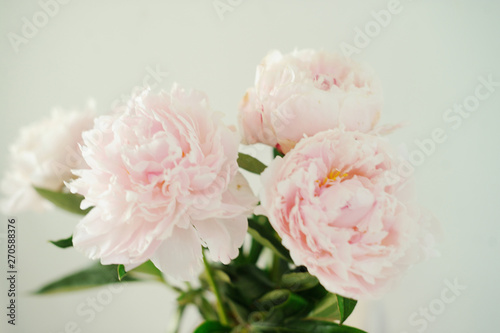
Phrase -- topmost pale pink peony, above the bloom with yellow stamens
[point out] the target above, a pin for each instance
(307, 92)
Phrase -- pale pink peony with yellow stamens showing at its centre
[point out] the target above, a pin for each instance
(339, 206)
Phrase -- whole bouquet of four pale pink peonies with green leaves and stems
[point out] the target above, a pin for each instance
(160, 186)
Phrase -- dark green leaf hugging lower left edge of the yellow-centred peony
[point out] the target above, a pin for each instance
(263, 232)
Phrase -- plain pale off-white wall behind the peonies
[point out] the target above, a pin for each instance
(429, 57)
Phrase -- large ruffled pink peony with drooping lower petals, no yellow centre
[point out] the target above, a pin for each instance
(164, 181)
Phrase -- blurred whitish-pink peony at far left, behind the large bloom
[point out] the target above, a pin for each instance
(43, 156)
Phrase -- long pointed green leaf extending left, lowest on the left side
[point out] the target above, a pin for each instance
(94, 276)
